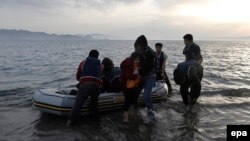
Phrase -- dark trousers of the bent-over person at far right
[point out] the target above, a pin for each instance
(194, 83)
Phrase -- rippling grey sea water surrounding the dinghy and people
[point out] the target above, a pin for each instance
(26, 66)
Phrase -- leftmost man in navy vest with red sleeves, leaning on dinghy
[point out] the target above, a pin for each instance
(89, 77)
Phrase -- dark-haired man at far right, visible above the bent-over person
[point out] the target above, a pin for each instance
(191, 50)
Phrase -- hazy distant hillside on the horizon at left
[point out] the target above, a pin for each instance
(25, 34)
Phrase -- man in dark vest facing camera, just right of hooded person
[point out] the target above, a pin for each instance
(161, 58)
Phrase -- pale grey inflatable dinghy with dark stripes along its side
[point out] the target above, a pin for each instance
(60, 101)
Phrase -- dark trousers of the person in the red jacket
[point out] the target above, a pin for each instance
(131, 98)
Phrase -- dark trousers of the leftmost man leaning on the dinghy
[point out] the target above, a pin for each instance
(85, 90)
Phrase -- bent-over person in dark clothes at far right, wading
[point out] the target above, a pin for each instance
(189, 74)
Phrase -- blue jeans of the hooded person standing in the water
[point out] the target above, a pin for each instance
(147, 84)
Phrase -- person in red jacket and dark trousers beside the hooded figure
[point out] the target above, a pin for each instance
(129, 82)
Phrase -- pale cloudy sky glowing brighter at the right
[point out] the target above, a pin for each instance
(127, 19)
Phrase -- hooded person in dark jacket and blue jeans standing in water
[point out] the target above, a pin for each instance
(147, 72)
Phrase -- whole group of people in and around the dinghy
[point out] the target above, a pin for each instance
(137, 72)
